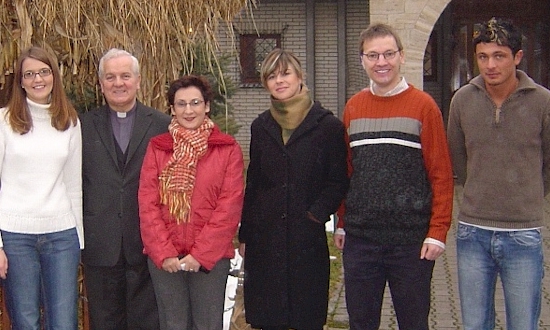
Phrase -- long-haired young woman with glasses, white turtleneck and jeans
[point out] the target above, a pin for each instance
(40, 197)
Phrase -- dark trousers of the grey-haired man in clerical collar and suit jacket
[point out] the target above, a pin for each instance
(121, 297)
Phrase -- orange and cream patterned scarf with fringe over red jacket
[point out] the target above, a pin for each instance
(177, 179)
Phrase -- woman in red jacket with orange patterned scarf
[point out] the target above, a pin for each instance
(190, 201)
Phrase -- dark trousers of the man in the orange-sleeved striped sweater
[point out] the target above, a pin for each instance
(367, 269)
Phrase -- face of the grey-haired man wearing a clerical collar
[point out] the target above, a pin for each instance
(120, 83)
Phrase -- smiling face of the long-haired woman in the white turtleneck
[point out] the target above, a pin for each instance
(37, 88)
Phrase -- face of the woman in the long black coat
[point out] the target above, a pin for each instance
(283, 85)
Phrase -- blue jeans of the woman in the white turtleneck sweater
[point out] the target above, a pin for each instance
(43, 268)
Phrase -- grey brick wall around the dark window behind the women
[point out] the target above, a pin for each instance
(251, 101)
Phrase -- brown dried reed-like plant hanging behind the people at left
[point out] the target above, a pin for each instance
(160, 33)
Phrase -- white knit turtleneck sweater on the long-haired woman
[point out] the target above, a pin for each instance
(40, 176)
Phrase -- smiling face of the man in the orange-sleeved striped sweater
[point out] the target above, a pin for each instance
(385, 73)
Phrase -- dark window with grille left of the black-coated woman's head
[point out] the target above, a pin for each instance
(254, 48)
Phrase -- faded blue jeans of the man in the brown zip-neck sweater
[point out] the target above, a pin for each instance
(515, 256)
